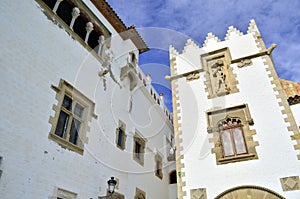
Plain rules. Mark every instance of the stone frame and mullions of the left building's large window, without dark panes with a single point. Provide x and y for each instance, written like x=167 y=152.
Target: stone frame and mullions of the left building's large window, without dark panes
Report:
x=66 y=89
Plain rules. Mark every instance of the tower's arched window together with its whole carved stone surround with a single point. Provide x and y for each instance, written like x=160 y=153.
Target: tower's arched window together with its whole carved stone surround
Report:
x=231 y=134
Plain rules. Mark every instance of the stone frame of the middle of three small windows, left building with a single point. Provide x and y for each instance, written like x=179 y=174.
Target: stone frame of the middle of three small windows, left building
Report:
x=139 y=140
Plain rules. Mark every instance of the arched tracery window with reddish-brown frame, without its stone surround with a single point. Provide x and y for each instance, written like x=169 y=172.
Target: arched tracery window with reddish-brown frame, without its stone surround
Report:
x=232 y=137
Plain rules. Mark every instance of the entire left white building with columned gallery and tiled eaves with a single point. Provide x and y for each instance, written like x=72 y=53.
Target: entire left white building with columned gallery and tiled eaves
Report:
x=75 y=113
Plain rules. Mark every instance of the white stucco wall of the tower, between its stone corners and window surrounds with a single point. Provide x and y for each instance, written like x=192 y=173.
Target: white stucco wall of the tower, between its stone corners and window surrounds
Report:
x=277 y=156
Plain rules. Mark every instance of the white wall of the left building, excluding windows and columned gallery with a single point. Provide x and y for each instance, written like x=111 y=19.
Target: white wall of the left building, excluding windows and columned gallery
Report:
x=36 y=54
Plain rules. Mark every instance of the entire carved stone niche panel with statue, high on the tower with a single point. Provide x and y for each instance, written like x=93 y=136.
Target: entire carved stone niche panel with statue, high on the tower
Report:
x=219 y=77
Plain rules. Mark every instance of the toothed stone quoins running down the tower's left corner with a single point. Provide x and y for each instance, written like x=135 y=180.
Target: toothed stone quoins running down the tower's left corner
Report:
x=177 y=125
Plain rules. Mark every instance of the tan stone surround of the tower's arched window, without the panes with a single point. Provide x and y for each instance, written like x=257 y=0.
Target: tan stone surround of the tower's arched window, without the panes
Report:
x=214 y=117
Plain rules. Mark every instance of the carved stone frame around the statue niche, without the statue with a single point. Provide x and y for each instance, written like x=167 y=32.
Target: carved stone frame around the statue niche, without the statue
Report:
x=224 y=56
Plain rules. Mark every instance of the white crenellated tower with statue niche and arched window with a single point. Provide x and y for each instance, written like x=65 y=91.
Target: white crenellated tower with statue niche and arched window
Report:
x=236 y=134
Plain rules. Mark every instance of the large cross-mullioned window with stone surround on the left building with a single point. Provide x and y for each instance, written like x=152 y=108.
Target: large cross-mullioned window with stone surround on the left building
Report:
x=69 y=125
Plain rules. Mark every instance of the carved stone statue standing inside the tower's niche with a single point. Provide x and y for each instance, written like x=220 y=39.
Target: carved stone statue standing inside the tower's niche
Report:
x=219 y=82
